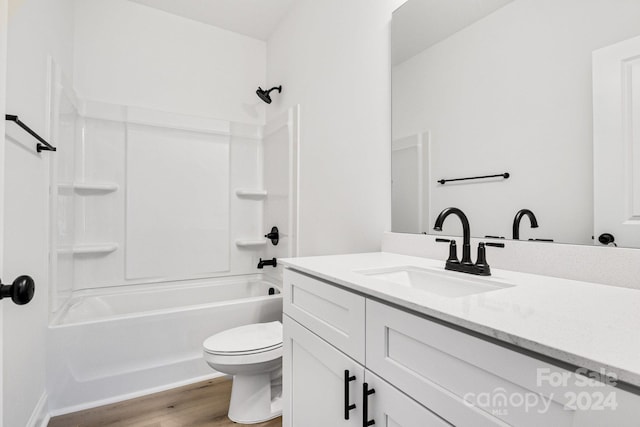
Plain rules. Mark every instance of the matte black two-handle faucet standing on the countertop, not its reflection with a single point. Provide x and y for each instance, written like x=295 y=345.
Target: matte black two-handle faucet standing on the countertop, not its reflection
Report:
x=481 y=267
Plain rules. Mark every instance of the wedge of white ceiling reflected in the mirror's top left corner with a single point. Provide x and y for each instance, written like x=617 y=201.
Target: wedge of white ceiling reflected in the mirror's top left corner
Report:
x=419 y=24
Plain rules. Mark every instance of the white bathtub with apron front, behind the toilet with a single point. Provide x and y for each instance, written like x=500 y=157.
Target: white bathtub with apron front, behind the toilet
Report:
x=116 y=343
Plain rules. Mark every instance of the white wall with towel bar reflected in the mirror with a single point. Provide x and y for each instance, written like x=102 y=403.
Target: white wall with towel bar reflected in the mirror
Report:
x=512 y=93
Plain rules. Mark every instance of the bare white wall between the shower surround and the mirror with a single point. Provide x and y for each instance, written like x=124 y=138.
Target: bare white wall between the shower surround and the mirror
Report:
x=332 y=58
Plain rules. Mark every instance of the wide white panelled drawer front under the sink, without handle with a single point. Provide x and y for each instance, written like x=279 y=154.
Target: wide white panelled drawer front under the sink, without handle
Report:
x=471 y=382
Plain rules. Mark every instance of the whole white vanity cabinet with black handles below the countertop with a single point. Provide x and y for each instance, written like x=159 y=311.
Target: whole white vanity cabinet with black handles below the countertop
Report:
x=423 y=372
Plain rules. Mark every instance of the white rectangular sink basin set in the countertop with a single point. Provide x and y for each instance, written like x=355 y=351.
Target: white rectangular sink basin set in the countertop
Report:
x=440 y=282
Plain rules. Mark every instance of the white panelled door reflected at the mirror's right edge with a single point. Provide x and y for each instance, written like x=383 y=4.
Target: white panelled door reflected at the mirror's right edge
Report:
x=616 y=115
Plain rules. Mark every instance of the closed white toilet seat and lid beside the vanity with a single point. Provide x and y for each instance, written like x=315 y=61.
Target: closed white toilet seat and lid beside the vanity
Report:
x=253 y=343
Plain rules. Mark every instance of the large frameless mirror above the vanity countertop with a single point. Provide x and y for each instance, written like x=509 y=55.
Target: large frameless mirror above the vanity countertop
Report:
x=543 y=94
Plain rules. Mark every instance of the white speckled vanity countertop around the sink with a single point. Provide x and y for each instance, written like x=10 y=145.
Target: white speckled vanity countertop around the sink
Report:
x=584 y=324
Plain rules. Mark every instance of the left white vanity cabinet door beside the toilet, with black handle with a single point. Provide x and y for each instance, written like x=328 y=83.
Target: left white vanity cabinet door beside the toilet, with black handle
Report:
x=314 y=381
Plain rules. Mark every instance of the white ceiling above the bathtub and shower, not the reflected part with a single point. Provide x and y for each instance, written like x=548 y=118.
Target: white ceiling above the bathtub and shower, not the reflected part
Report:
x=254 y=18
